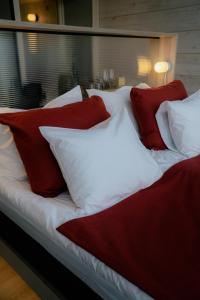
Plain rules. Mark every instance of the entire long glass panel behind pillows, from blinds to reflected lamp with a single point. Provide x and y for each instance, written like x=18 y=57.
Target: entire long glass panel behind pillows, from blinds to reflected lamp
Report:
x=37 y=67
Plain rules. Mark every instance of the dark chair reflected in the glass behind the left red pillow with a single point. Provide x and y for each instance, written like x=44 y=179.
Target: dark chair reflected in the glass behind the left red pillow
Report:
x=32 y=95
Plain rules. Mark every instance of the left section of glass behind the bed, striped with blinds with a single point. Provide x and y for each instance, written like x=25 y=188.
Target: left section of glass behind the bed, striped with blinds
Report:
x=37 y=67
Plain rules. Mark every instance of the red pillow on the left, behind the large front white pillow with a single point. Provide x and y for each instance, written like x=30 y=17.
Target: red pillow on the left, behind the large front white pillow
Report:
x=43 y=171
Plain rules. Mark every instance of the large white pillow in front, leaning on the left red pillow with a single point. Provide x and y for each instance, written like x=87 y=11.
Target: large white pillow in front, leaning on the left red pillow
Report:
x=104 y=164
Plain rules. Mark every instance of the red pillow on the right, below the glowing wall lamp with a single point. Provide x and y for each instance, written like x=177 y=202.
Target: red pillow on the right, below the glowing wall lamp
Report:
x=145 y=103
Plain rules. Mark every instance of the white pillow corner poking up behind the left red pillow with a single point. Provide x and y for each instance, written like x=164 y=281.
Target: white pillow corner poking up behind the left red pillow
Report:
x=72 y=96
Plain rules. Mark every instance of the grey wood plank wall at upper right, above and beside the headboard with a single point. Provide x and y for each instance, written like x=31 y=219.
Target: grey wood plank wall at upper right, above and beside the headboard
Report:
x=180 y=16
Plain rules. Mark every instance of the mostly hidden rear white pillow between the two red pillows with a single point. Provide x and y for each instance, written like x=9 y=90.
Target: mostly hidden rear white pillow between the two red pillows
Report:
x=118 y=99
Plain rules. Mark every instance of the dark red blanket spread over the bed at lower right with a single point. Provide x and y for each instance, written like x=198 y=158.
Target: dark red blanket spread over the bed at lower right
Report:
x=153 y=237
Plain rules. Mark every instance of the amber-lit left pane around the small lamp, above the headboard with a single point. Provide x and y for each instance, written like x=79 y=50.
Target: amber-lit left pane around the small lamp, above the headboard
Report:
x=46 y=11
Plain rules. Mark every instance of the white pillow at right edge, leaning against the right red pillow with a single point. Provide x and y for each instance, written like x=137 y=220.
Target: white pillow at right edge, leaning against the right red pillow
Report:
x=179 y=124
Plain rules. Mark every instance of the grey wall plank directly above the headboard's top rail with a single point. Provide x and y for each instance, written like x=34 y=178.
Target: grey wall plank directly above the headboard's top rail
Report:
x=172 y=20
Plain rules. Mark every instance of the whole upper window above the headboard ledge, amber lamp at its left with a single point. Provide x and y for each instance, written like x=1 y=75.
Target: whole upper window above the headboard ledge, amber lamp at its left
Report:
x=68 y=12
